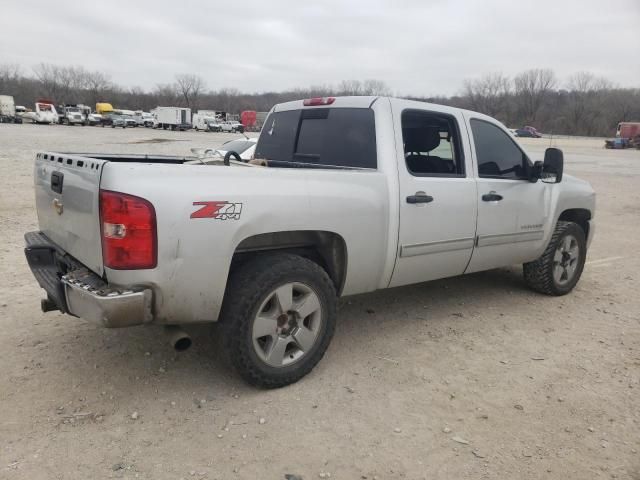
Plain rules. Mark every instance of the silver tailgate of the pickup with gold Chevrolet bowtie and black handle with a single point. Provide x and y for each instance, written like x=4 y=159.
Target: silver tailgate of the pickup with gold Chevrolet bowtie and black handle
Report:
x=67 y=201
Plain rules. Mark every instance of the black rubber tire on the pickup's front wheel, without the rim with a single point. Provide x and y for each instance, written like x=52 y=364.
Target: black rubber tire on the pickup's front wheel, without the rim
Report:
x=539 y=274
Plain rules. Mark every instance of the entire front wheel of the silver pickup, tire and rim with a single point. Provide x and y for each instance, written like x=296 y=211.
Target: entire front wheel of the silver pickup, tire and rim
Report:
x=559 y=268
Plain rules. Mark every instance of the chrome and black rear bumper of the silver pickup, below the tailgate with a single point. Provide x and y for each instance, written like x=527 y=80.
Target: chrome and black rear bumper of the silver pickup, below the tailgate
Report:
x=76 y=290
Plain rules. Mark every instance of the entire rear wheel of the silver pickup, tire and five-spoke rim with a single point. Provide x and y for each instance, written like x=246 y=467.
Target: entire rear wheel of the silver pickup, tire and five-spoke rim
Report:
x=278 y=317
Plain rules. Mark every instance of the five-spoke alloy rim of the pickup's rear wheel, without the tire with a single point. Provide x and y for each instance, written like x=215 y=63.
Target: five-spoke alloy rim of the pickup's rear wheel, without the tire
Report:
x=287 y=324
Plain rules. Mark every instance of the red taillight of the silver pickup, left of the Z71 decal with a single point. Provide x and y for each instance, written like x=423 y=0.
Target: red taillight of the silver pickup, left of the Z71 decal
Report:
x=128 y=225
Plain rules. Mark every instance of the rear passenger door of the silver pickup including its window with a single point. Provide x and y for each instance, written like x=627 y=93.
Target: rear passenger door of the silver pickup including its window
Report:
x=437 y=194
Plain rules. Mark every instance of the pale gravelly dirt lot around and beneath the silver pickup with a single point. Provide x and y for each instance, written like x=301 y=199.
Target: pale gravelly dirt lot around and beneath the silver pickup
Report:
x=470 y=377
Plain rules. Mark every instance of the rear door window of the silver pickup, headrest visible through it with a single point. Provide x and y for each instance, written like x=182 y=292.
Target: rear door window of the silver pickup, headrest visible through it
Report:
x=431 y=144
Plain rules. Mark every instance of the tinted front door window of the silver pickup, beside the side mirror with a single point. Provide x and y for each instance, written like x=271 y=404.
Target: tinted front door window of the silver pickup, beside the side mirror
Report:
x=498 y=155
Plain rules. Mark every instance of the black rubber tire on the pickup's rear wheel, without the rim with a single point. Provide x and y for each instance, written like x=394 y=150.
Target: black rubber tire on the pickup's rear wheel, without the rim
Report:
x=249 y=286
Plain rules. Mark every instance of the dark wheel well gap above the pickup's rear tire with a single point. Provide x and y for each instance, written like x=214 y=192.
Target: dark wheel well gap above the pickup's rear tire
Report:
x=327 y=249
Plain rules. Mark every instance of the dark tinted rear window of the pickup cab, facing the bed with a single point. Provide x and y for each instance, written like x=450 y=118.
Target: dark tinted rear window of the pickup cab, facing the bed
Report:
x=320 y=138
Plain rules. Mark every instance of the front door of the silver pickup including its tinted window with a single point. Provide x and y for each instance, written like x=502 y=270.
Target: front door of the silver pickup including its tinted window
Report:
x=513 y=213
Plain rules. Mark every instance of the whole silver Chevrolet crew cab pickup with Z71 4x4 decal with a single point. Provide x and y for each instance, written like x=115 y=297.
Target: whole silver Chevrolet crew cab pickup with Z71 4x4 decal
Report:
x=344 y=196
